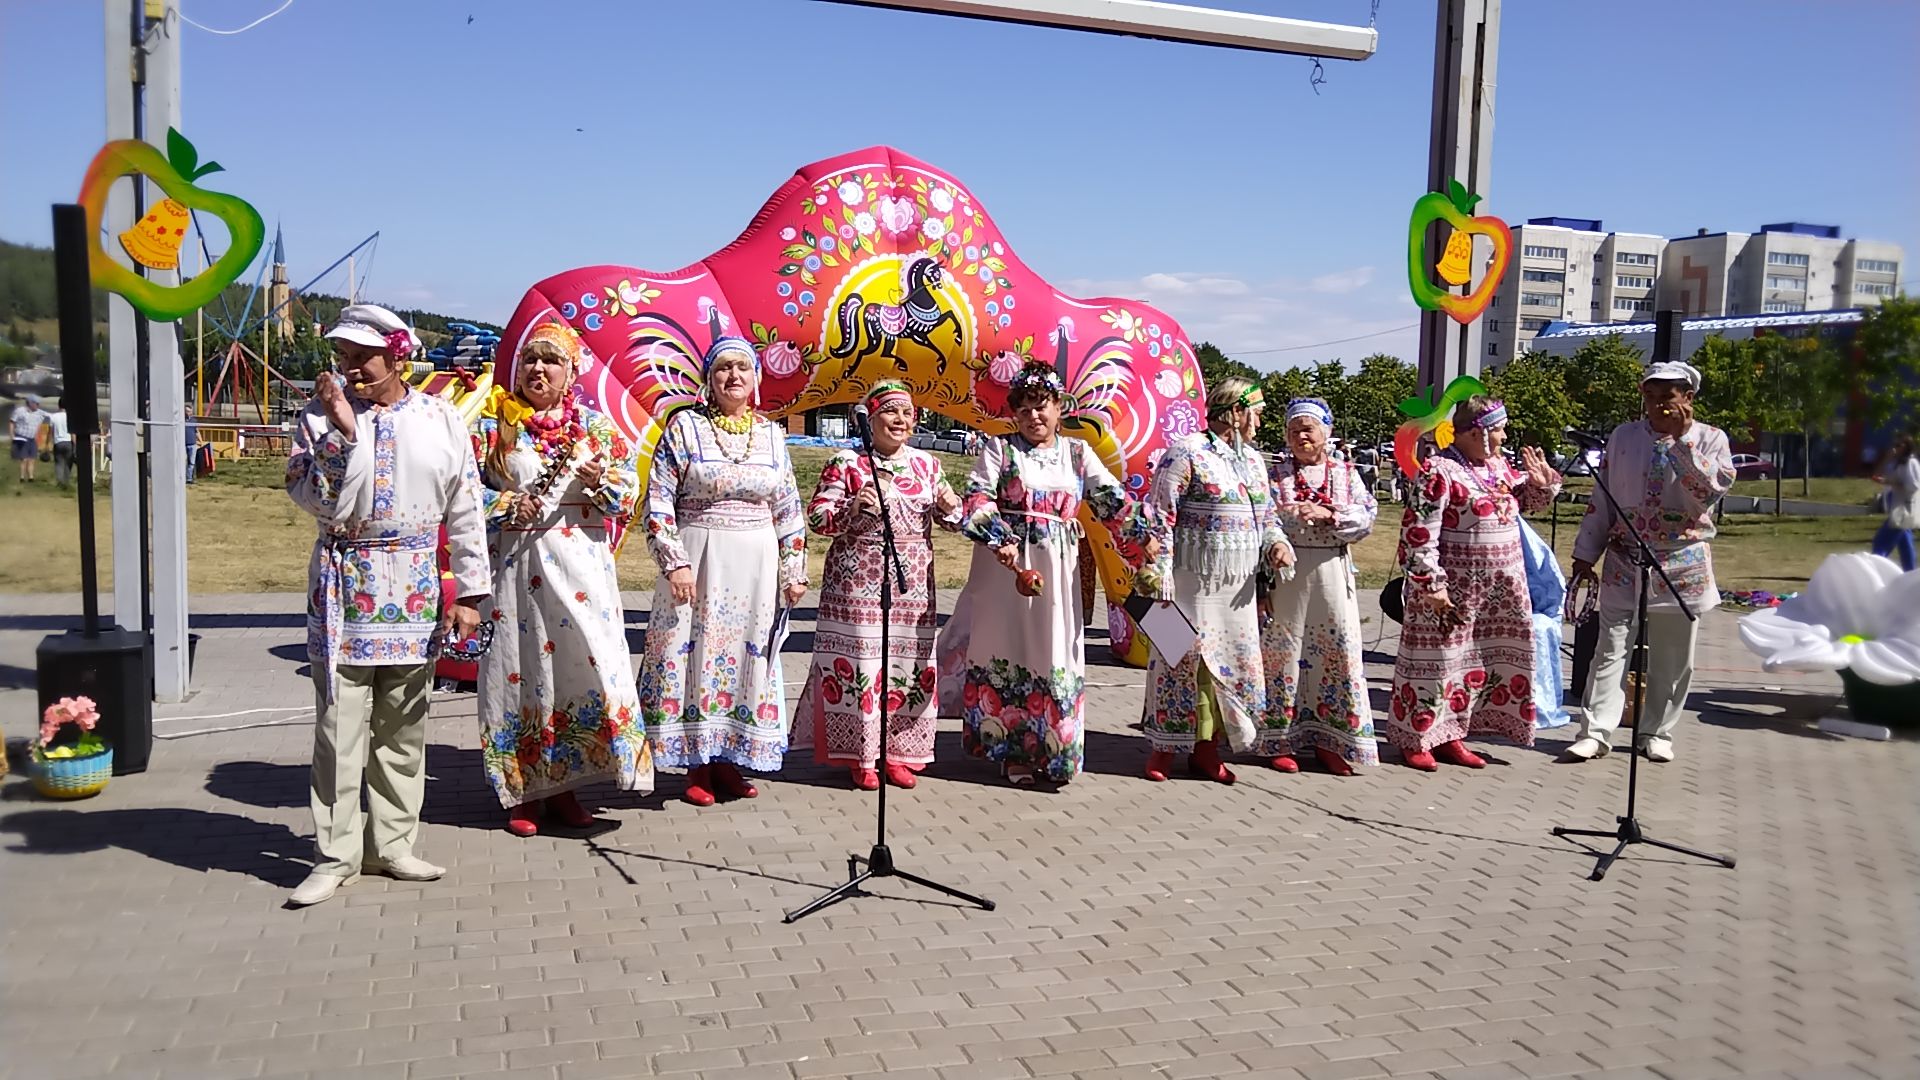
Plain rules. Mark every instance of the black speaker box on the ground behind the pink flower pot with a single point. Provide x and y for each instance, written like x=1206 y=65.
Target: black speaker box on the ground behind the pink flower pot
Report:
x=116 y=670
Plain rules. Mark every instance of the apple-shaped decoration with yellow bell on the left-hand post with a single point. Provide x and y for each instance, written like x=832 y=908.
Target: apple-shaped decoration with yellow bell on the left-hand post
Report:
x=156 y=239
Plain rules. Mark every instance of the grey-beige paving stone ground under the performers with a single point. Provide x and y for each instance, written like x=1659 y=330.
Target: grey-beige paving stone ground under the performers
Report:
x=1295 y=927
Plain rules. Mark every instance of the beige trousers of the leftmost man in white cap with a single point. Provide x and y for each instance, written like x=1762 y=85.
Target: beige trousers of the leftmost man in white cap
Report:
x=375 y=725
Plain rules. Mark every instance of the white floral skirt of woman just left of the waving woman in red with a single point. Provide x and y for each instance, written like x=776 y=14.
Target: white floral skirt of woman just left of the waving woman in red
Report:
x=1316 y=672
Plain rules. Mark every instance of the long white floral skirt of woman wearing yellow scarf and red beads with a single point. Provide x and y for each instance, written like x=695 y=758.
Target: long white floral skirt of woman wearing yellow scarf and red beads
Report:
x=558 y=702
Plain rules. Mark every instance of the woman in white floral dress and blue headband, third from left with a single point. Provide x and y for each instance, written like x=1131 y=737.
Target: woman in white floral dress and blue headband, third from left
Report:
x=725 y=526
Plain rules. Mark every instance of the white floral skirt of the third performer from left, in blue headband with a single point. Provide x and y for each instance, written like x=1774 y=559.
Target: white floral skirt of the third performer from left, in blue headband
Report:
x=709 y=681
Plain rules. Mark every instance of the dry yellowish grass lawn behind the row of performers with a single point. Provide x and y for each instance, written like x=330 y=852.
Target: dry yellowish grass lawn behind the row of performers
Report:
x=245 y=535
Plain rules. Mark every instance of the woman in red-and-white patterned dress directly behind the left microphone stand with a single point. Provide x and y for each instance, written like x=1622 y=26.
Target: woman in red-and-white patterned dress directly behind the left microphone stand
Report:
x=848 y=691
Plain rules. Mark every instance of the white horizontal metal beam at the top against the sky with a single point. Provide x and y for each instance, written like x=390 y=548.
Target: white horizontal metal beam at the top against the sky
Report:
x=1164 y=22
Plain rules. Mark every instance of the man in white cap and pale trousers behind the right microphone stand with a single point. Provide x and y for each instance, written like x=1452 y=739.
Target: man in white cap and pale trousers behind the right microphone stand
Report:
x=1668 y=472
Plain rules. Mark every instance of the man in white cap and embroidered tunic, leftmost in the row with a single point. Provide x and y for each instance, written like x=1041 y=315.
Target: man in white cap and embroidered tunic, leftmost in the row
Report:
x=381 y=468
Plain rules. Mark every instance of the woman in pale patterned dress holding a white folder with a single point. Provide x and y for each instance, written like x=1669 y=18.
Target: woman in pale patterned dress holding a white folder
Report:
x=1212 y=503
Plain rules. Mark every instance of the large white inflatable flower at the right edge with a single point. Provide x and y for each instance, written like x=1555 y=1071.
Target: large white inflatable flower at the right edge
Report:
x=1860 y=612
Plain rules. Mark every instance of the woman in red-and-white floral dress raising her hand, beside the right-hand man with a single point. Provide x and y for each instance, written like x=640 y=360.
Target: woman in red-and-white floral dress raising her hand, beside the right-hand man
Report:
x=1468 y=645
